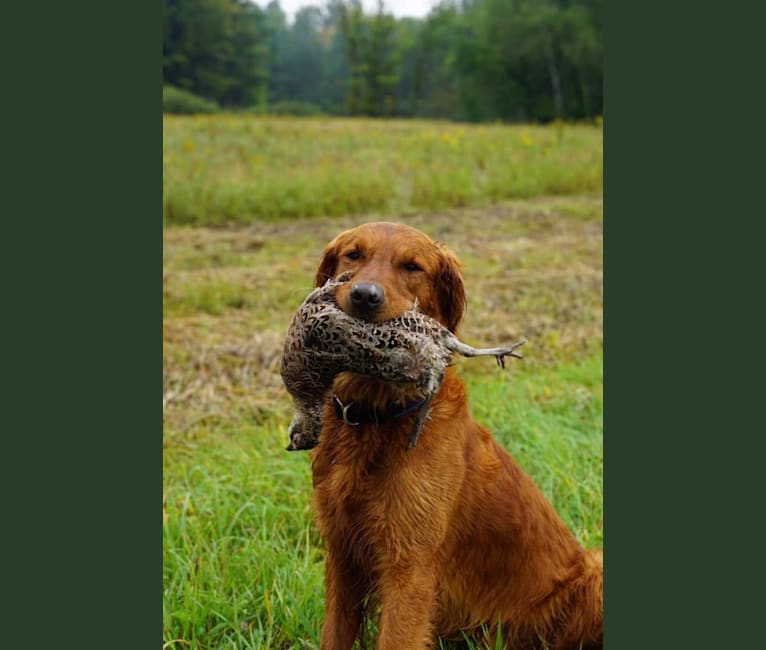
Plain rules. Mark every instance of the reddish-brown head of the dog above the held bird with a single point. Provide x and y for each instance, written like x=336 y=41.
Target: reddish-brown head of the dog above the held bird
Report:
x=392 y=266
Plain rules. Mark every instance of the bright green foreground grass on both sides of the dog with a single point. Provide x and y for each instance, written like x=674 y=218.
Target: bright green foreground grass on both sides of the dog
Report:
x=243 y=565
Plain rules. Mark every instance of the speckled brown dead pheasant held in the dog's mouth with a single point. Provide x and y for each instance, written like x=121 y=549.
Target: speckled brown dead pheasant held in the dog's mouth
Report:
x=323 y=340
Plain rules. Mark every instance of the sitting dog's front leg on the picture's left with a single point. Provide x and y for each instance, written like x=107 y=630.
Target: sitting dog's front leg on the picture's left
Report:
x=344 y=597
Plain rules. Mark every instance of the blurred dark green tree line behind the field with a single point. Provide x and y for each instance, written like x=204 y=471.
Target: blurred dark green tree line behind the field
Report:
x=475 y=60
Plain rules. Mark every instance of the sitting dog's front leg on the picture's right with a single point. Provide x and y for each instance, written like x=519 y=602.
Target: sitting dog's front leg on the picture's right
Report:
x=407 y=599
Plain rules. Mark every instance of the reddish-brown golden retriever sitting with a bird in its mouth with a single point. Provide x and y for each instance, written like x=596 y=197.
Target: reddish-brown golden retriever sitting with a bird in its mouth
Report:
x=450 y=538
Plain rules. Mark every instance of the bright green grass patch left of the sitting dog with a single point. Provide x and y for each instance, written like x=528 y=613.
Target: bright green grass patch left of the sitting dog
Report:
x=242 y=567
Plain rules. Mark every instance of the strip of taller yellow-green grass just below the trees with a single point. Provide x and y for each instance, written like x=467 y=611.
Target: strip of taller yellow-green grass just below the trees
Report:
x=238 y=168
